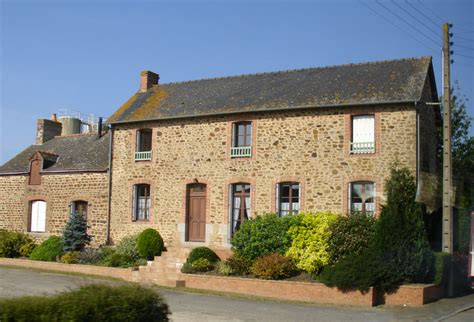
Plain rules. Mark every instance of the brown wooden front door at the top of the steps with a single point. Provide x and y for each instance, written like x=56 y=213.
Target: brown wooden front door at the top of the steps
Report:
x=196 y=212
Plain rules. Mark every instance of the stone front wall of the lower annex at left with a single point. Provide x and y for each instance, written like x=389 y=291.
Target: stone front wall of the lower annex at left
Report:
x=58 y=190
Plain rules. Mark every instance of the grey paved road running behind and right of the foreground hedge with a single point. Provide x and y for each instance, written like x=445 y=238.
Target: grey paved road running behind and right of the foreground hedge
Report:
x=204 y=307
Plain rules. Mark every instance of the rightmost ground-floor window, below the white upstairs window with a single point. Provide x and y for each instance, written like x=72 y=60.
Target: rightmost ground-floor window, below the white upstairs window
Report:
x=362 y=197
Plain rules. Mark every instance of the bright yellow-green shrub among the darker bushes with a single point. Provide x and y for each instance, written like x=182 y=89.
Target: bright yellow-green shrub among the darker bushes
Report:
x=309 y=247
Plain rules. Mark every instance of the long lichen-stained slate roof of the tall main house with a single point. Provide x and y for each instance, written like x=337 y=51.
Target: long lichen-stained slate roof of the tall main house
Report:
x=381 y=82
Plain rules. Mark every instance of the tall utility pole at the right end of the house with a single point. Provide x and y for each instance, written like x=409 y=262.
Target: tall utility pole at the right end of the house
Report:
x=447 y=238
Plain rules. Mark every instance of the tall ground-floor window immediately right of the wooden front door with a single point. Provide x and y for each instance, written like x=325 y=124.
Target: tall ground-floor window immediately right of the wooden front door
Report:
x=240 y=206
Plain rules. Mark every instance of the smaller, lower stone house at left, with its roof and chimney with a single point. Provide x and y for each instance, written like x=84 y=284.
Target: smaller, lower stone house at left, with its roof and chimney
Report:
x=57 y=175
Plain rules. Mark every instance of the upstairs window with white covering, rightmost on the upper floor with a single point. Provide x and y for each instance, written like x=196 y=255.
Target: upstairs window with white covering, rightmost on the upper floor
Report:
x=363 y=134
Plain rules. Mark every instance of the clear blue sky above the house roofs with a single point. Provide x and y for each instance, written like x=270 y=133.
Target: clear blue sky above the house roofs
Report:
x=87 y=55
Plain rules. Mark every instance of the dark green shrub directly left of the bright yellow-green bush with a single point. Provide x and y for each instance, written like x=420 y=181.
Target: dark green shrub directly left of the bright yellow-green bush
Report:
x=263 y=235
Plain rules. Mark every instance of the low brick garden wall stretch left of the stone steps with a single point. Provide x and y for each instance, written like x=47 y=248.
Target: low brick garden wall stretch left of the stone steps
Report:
x=121 y=273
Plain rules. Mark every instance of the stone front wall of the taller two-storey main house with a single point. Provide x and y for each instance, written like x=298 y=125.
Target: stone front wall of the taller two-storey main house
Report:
x=309 y=146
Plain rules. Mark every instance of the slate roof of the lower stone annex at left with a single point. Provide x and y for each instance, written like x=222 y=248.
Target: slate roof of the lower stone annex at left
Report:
x=75 y=153
